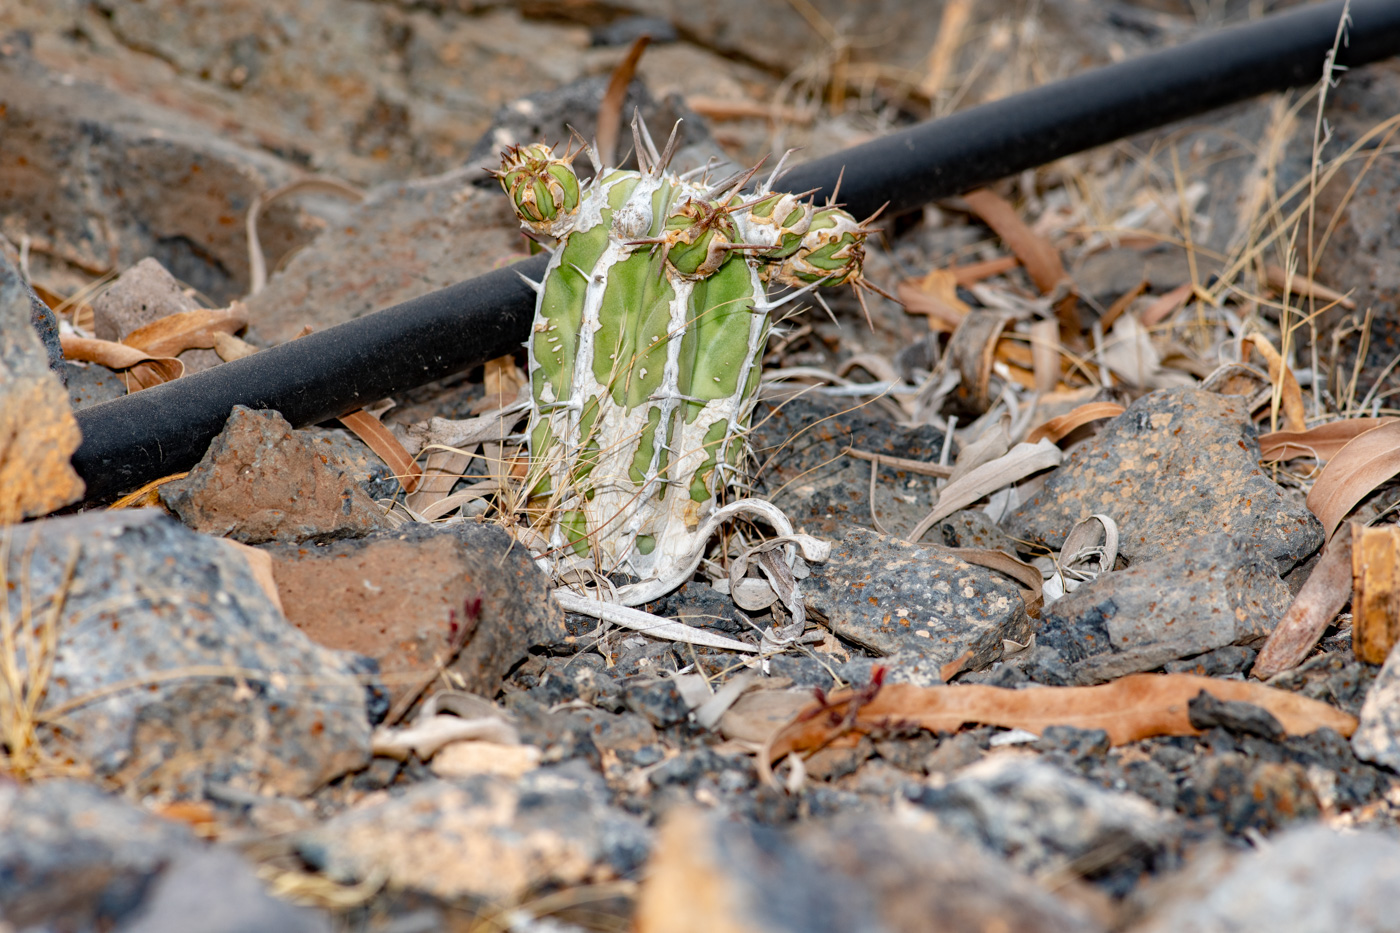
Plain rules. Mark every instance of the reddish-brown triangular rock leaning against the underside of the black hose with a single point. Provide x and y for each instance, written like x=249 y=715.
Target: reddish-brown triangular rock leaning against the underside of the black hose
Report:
x=261 y=483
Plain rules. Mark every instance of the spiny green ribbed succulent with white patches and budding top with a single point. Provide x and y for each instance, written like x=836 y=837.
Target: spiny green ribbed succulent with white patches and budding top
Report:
x=646 y=350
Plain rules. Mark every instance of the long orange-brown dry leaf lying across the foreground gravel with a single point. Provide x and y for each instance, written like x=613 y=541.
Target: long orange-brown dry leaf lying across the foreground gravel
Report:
x=1129 y=710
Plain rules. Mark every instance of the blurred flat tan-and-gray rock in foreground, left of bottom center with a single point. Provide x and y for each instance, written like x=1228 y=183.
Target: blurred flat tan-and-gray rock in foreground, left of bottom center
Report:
x=485 y=837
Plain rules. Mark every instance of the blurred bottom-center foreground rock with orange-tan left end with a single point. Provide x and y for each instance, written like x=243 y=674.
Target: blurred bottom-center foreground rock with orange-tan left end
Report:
x=871 y=873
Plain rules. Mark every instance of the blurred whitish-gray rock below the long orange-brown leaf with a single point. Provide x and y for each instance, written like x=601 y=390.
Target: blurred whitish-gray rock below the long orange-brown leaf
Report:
x=1042 y=819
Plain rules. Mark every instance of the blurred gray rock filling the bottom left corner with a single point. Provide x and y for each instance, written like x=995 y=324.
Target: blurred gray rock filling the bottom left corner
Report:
x=75 y=858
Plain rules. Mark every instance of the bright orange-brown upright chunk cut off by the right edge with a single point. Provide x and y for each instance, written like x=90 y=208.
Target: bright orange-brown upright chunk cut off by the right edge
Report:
x=1375 y=590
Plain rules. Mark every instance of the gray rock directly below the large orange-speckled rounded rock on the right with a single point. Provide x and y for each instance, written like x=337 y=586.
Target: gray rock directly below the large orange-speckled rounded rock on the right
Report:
x=1212 y=593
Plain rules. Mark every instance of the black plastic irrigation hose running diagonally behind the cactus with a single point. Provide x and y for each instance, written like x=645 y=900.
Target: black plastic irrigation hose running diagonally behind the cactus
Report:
x=166 y=429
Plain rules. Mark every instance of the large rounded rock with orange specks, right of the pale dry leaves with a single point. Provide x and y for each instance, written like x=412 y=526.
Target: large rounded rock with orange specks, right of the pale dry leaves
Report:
x=1177 y=464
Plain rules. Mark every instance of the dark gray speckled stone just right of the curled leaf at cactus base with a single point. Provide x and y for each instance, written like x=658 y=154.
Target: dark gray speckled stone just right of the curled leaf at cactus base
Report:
x=894 y=597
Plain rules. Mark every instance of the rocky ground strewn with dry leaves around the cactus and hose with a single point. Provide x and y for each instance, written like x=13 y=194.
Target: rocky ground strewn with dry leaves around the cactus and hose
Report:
x=297 y=690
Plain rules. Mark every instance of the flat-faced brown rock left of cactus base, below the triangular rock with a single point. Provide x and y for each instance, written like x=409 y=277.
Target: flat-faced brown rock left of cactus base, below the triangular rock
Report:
x=402 y=597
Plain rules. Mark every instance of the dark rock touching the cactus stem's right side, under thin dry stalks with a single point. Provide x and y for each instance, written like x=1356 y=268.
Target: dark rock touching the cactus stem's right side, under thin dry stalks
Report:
x=799 y=446
